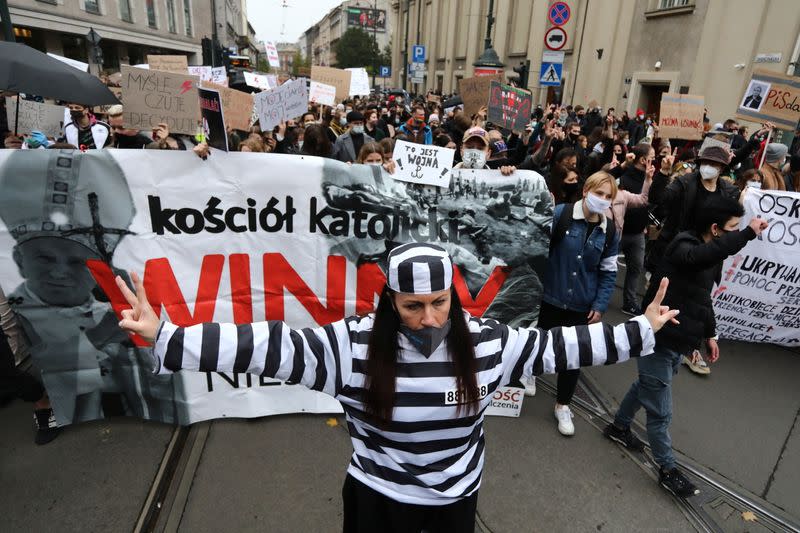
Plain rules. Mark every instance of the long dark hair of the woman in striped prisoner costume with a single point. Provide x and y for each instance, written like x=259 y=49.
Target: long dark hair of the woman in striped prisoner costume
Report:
x=382 y=354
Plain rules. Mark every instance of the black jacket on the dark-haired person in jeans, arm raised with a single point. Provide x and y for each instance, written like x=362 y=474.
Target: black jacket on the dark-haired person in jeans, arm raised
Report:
x=692 y=267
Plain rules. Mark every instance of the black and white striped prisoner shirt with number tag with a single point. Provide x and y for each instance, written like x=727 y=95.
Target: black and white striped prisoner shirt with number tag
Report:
x=427 y=454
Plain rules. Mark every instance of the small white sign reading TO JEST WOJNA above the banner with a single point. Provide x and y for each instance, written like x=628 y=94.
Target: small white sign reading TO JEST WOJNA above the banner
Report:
x=423 y=164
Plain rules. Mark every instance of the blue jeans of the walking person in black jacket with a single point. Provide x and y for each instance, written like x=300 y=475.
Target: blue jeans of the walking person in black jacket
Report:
x=653 y=391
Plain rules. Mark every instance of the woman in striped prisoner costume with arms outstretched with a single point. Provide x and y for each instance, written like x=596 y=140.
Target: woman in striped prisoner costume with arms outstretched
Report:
x=413 y=378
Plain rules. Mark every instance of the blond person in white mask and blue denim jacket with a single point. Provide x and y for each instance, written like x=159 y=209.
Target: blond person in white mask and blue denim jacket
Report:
x=580 y=275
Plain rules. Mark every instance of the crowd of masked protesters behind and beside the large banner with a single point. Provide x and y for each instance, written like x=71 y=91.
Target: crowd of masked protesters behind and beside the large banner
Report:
x=619 y=189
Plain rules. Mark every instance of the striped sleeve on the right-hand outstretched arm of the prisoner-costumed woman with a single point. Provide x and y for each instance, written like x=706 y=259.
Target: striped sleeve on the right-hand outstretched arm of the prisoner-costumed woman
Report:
x=532 y=351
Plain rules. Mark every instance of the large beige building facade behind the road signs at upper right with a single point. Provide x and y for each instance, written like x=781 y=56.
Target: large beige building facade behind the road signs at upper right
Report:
x=620 y=53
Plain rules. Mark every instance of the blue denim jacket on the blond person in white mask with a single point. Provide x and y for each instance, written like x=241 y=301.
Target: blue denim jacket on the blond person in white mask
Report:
x=580 y=277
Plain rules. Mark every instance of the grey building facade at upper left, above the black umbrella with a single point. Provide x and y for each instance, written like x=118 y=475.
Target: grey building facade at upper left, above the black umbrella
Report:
x=129 y=29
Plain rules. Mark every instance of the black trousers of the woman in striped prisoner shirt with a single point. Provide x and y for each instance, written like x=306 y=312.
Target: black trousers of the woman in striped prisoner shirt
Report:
x=369 y=511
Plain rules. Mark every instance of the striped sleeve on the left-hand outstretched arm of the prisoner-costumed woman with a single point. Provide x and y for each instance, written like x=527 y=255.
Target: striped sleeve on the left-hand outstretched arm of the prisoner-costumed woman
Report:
x=311 y=357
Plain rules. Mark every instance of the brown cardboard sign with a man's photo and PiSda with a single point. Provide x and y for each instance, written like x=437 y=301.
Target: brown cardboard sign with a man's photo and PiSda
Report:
x=771 y=96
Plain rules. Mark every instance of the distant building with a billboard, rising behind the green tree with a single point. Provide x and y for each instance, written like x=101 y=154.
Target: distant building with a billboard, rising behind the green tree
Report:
x=319 y=41
